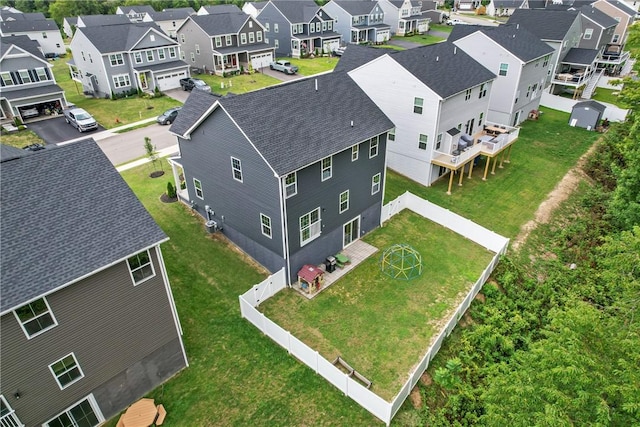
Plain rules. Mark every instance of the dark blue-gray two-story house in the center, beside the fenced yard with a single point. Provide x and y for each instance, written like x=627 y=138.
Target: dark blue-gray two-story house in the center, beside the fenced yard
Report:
x=290 y=186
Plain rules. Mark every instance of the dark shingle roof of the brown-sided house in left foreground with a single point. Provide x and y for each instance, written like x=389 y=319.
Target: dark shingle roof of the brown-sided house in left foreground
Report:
x=48 y=240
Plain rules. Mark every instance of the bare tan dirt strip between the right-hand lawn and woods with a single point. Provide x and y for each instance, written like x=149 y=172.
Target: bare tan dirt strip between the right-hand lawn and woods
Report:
x=559 y=194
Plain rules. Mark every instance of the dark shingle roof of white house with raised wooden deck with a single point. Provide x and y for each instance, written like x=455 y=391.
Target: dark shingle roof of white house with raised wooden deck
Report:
x=443 y=67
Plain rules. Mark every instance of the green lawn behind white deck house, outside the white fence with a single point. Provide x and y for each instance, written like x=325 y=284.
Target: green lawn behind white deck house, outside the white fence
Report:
x=544 y=152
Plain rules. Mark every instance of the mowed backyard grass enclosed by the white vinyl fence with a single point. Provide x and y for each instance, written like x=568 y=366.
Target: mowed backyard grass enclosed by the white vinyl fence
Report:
x=379 y=325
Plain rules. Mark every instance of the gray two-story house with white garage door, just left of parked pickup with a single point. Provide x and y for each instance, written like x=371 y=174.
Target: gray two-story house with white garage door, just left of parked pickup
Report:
x=223 y=43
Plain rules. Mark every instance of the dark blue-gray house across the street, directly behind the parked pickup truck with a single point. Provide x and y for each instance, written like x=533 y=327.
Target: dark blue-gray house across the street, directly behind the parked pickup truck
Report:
x=298 y=27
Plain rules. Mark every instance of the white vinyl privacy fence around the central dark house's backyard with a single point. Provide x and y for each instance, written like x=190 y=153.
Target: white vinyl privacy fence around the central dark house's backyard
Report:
x=373 y=403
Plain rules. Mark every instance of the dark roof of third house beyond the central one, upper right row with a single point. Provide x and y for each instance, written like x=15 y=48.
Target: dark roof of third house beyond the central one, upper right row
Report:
x=545 y=24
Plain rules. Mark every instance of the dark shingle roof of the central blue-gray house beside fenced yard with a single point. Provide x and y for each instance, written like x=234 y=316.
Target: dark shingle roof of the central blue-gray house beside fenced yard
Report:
x=290 y=141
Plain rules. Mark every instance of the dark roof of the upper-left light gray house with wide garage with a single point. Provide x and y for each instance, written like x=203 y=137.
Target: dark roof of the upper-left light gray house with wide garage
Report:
x=119 y=37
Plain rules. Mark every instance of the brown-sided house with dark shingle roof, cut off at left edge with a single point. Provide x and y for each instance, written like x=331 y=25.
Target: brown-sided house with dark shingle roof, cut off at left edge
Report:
x=88 y=320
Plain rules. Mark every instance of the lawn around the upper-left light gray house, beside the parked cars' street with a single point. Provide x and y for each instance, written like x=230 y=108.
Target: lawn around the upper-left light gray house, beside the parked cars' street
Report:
x=109 y=113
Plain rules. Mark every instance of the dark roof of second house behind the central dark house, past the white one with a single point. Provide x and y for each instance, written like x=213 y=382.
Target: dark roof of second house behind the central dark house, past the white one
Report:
x=517 y=40
